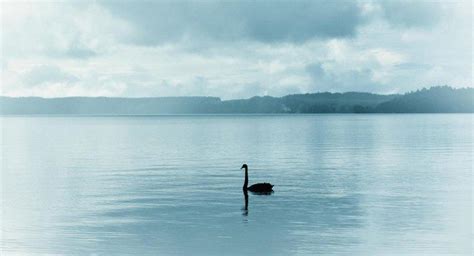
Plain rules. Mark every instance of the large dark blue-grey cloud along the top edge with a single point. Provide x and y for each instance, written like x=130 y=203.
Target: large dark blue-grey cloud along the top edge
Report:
x=264 y=21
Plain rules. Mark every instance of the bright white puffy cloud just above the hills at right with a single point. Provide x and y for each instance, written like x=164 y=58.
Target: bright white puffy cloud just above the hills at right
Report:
x=345 y=67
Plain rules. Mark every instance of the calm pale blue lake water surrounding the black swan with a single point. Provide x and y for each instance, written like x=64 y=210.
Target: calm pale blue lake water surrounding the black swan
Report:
x=171 y=185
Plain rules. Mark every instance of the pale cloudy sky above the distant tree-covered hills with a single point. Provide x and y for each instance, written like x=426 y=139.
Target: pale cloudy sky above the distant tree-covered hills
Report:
x=232 y=49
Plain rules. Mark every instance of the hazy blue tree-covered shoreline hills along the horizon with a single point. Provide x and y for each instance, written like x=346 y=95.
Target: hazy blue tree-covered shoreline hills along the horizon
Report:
x=441 y=99
